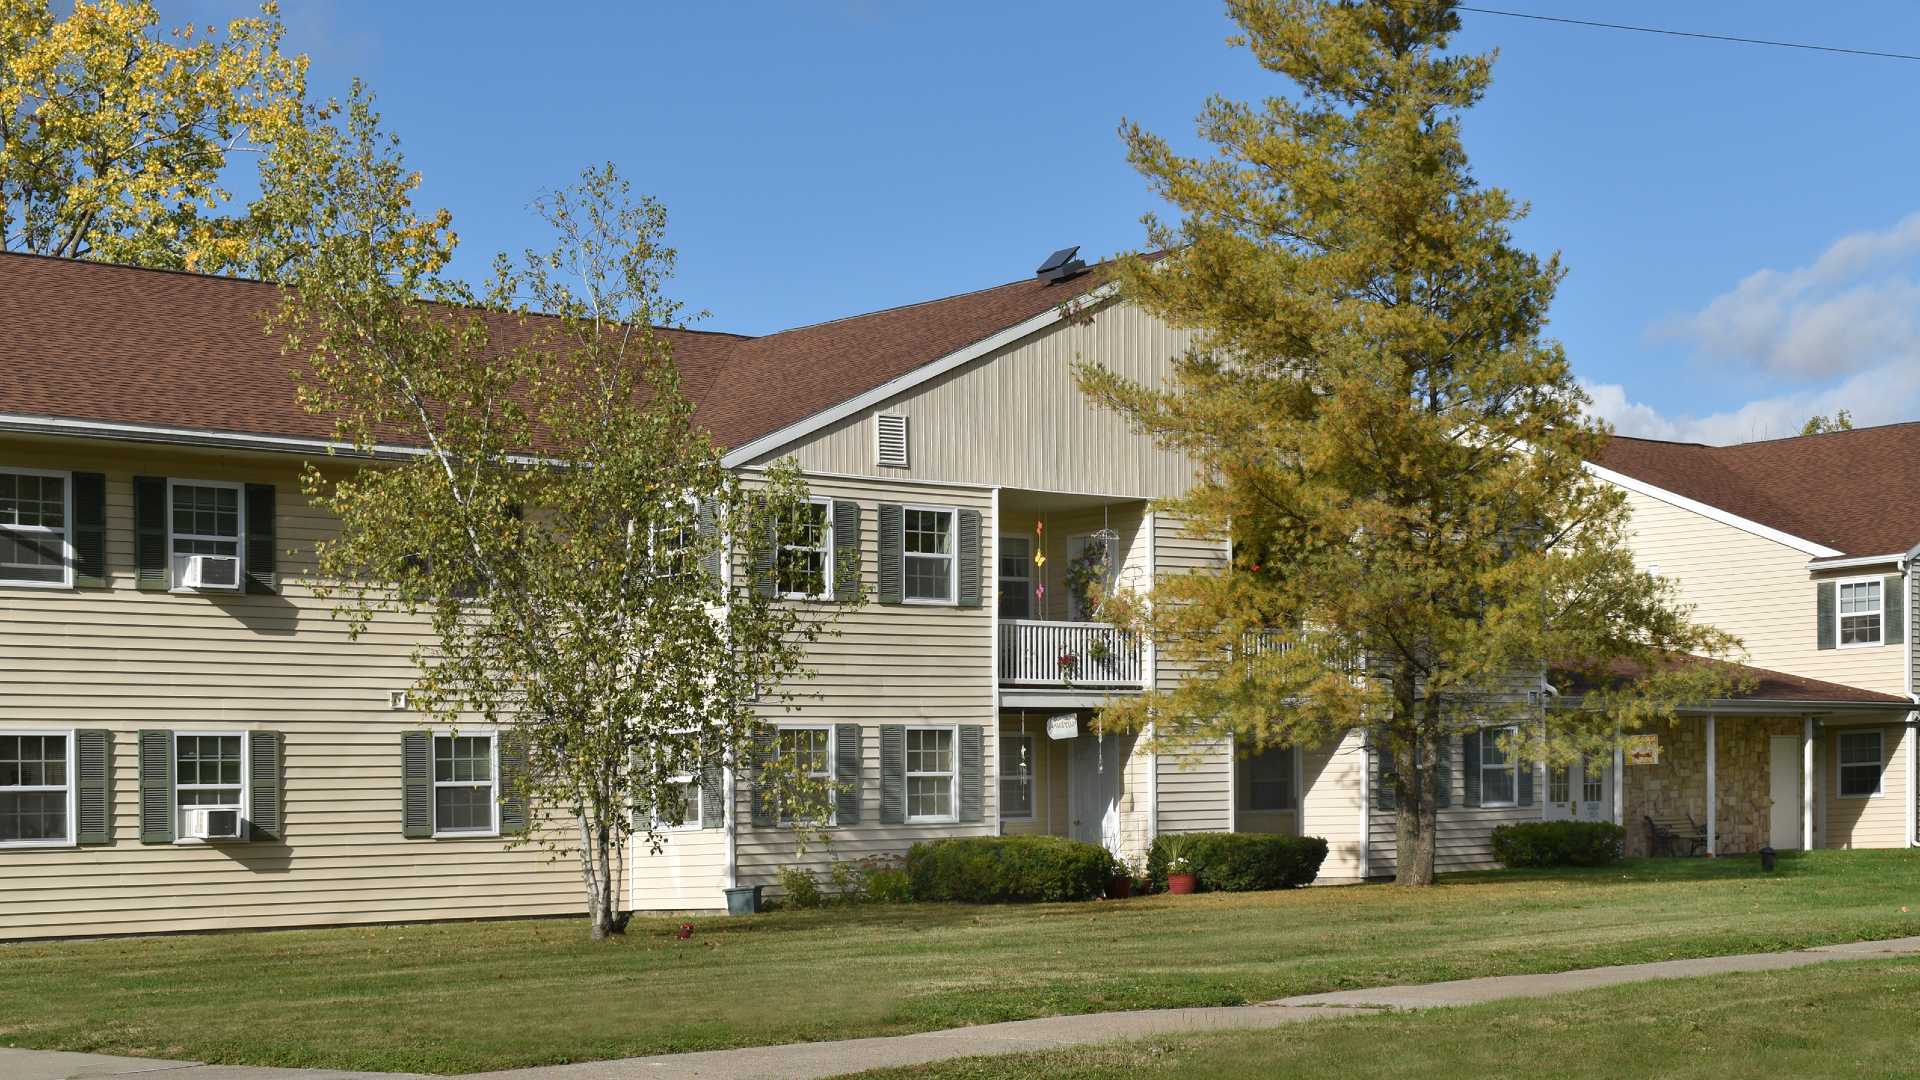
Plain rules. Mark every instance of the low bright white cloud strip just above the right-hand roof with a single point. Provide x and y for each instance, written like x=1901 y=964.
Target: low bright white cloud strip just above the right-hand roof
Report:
x=1881 y=395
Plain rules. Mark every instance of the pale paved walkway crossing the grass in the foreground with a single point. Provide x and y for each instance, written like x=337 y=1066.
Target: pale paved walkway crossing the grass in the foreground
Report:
x=855 y=1056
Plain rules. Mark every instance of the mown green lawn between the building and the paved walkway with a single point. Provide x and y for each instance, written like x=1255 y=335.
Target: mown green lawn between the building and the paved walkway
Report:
x=500 y=994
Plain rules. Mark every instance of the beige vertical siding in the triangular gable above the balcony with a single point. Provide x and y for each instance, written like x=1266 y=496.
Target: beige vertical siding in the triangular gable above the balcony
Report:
x=1017 y=418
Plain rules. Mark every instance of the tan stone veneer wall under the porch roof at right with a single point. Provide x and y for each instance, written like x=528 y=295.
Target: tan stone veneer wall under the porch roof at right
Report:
x=1679 y=783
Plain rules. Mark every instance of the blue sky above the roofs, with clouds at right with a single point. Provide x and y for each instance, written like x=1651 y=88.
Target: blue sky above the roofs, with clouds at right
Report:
x=1737 y=220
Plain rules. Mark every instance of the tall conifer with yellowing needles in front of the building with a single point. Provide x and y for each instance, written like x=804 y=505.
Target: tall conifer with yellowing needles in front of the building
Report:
x=1381 y=428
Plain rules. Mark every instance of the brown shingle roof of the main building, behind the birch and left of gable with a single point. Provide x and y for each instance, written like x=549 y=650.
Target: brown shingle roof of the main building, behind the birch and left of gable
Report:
x=124 y=345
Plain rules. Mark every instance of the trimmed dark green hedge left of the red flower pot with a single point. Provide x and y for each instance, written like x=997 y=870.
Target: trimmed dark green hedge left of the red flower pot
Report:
x=1009 y=870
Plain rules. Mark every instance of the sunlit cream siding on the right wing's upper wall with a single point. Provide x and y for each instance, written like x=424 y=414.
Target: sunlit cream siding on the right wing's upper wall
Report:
x=1758 y=591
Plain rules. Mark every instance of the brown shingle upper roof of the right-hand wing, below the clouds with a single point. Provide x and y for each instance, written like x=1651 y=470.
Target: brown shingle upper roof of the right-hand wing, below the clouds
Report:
x=1852 y=491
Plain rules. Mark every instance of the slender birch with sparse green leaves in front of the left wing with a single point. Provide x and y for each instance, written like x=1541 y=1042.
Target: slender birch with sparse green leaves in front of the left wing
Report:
x=558 y=514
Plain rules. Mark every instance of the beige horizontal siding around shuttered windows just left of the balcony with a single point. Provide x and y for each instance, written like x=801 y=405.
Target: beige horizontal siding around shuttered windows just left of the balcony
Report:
x=886 y=666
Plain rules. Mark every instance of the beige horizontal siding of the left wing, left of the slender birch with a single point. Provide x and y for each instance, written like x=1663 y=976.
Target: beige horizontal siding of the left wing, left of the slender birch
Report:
x=128 y=660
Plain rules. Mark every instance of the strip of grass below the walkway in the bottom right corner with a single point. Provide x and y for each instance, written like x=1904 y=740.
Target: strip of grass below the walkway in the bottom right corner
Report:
x=1848 y=1019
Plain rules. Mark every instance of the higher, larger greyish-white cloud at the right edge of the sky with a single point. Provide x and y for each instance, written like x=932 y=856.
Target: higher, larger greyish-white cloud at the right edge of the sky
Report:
x=1850 y=310
